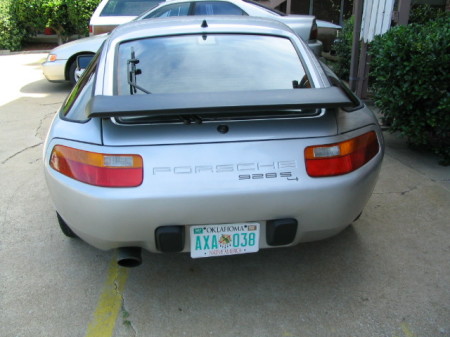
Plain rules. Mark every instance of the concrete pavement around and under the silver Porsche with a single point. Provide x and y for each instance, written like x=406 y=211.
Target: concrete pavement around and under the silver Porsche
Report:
x=388 y=275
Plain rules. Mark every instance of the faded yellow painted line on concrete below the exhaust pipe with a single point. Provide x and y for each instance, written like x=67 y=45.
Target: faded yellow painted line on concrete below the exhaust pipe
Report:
x=109 y=303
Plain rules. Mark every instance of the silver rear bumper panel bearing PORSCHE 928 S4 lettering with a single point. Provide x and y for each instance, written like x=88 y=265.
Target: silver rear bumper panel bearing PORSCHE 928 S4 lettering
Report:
x=272 y=185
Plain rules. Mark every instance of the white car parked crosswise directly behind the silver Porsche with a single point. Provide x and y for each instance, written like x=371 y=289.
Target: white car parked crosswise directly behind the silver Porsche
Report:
x=61 y=62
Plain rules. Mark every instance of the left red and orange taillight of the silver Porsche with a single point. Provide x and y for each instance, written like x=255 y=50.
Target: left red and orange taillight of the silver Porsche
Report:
x=106 y=170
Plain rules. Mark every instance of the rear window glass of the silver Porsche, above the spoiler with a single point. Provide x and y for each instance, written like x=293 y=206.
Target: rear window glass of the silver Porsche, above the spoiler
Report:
x=207 y=63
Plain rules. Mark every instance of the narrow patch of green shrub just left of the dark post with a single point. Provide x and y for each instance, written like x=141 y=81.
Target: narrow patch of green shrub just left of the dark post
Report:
x=343 y=48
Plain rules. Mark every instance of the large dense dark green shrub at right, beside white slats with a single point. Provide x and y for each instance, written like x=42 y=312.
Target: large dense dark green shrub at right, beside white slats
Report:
x=411 y=76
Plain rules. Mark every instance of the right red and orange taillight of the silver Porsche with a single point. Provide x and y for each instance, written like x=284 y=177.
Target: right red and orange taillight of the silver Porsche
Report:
x=341 y=158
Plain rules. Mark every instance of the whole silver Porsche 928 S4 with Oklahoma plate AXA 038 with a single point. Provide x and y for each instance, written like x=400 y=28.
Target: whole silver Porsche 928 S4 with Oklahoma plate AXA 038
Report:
x=209 y=135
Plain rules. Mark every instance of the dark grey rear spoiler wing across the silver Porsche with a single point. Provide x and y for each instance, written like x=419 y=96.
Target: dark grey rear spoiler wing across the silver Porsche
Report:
x=213 y=103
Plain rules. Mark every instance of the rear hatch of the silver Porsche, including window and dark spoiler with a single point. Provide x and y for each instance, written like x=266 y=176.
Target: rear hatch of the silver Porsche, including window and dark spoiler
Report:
x=198 y=88
